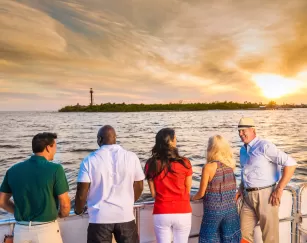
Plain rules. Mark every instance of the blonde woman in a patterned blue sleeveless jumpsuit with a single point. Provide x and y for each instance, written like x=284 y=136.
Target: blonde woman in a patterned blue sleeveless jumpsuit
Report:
x=221 y=221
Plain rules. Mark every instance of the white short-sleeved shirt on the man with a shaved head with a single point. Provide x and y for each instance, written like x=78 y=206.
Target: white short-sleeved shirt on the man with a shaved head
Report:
x=111 y=170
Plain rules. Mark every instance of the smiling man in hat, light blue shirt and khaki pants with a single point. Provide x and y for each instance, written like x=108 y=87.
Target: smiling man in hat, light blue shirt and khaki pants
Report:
x=262 y=183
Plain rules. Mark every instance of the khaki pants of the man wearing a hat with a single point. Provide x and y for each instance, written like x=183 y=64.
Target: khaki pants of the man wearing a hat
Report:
x=256 y=208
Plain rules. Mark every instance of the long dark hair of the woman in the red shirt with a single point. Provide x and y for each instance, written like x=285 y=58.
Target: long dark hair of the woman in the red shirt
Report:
x=162 y=155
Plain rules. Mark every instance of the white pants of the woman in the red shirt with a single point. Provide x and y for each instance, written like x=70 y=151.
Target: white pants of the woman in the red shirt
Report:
x=178 y=224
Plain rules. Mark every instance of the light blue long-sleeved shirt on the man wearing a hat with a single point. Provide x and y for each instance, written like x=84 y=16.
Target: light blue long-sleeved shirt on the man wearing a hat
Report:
x=261 y=162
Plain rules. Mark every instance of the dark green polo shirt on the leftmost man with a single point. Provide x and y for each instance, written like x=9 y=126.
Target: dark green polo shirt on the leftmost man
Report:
x=35 y=185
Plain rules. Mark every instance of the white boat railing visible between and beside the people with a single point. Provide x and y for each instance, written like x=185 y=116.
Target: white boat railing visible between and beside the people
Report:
x=292 y=220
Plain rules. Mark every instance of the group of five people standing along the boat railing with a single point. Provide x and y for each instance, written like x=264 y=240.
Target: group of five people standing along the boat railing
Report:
x=110 y=180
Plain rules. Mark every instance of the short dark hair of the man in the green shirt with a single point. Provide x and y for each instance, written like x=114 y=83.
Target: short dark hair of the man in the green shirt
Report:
x=41 y=140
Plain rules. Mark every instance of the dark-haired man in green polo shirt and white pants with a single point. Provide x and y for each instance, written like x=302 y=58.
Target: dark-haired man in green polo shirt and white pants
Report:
x=39 y=188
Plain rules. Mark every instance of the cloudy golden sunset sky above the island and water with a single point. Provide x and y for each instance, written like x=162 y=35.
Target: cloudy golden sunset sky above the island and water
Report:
x=151 y=51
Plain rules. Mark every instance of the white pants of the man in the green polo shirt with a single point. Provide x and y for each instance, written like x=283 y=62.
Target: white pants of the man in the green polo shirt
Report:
x=45 y=233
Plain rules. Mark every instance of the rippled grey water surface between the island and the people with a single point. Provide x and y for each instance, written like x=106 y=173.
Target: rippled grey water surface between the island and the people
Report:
x=136 y=131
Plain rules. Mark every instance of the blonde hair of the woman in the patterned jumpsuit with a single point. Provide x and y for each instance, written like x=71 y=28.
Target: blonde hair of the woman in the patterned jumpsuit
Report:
x=220 y=150
